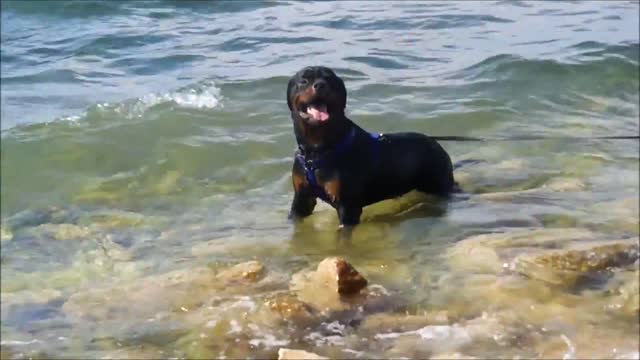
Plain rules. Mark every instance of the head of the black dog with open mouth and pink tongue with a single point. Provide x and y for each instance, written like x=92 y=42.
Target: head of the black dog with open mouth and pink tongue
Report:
x=316 y=95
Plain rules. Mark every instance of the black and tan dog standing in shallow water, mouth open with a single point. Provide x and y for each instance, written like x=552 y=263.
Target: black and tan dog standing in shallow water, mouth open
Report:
x=347 y=167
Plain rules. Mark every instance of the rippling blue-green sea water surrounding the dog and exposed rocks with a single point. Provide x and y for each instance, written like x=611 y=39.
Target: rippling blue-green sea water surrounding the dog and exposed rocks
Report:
x=147 y=143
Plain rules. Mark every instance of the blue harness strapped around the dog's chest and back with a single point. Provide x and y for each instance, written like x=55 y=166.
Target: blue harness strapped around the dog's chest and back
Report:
x=310 y=166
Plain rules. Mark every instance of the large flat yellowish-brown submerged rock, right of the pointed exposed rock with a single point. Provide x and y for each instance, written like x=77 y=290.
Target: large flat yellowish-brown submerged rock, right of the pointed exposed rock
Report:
x=557 y=256
